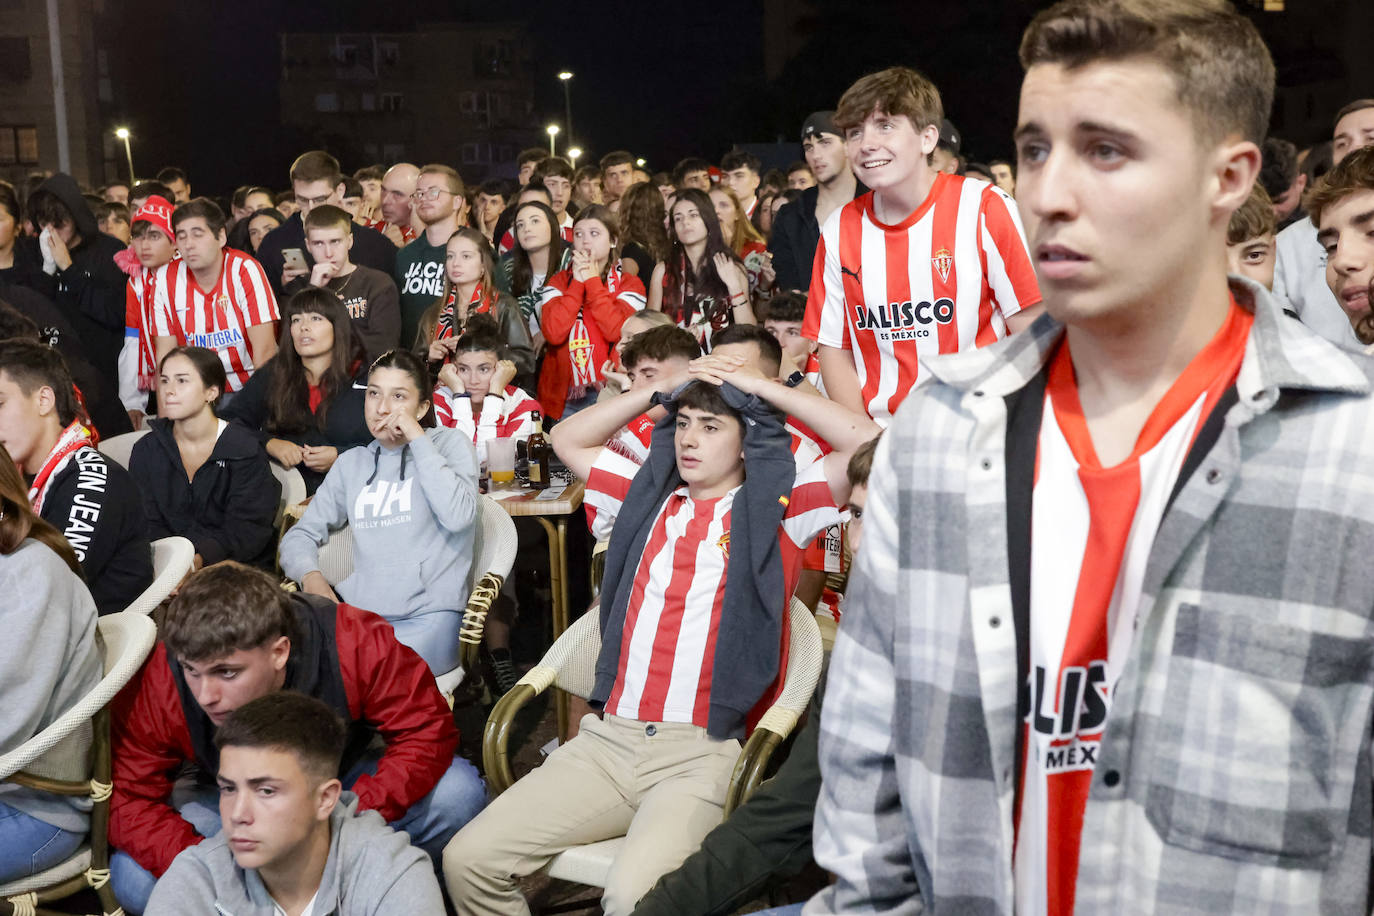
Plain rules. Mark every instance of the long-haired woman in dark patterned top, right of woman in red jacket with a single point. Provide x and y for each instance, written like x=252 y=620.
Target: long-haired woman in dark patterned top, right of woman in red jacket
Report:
x=703 y=286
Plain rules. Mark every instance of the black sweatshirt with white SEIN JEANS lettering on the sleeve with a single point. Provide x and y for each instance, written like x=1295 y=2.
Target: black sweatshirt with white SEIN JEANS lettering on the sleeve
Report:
x=97 y=506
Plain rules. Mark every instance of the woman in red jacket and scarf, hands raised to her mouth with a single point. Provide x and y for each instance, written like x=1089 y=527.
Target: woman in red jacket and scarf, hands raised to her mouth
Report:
x=583 y=311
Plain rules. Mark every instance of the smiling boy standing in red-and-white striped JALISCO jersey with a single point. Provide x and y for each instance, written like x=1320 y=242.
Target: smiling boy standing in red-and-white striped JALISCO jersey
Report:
x=957 y=275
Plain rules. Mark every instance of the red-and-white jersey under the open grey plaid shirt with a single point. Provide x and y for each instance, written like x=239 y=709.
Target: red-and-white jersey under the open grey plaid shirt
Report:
x=1092 y=534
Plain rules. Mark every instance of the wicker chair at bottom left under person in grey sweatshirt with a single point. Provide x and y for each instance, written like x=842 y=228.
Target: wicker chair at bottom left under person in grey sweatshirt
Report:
x=72 y=757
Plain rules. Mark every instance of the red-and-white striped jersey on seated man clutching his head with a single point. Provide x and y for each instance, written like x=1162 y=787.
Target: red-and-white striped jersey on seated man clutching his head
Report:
x=668 y=646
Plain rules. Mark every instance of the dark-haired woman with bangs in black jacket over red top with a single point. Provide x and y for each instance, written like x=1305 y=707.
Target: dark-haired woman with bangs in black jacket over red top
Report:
x=306 y=403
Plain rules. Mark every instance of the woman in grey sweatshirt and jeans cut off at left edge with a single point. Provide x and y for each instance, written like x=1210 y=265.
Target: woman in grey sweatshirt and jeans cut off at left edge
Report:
x=50 y=663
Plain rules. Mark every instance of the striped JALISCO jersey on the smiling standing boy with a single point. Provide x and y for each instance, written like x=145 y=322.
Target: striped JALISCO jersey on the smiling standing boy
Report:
x=942 y=281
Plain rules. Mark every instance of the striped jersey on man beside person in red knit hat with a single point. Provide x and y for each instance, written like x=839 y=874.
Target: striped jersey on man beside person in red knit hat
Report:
x=216 y=319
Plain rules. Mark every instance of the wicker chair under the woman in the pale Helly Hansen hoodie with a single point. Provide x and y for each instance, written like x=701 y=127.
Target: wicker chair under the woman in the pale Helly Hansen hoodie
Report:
x=493 y=560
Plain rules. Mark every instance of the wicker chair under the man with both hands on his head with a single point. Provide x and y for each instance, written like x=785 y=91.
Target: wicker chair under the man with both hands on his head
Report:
x=571 y=665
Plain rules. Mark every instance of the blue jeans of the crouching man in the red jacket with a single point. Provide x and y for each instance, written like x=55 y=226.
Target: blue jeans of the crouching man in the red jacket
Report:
x=431 y=822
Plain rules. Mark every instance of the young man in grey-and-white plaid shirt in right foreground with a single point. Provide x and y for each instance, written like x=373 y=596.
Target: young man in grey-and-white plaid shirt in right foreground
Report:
x=1108 y=649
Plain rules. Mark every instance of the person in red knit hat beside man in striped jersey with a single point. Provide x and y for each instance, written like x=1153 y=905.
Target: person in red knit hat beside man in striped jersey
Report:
x=155 y=247
